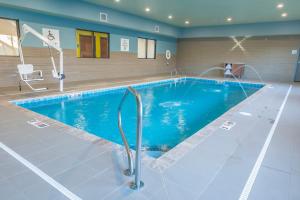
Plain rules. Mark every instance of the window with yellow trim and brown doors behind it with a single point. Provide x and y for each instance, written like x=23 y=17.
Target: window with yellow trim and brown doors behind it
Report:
x=92 y=44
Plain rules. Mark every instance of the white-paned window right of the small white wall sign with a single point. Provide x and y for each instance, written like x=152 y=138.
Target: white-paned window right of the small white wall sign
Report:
x=146 y=48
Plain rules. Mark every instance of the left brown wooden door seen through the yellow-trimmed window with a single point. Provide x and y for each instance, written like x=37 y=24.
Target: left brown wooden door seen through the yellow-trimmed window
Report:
x=86 y=46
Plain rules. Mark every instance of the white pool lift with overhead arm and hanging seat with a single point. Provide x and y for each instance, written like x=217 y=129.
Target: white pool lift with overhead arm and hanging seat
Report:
x=26 y=71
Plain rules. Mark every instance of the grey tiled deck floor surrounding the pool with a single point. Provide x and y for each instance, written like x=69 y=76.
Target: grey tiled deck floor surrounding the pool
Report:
x=215 y=164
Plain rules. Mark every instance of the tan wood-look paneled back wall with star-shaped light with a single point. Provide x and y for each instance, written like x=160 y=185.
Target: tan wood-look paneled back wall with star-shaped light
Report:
x=271 y=56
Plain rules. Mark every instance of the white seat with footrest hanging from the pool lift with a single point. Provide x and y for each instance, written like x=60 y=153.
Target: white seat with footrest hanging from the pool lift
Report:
x=28 y=75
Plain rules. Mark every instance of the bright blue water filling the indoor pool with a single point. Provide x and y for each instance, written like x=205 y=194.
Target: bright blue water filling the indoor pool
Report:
x=171 y=112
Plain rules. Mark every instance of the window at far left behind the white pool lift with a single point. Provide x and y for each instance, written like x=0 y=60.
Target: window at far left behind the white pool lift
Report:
x=9 y=37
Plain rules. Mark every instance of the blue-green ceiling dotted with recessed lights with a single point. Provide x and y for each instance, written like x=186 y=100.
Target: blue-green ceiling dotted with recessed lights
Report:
x=207 y=12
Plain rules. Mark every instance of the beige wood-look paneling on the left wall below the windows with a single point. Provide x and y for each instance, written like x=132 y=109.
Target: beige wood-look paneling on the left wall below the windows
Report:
x=119 y=65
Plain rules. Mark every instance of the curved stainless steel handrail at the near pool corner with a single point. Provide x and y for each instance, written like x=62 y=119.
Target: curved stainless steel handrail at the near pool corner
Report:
x=137 y=183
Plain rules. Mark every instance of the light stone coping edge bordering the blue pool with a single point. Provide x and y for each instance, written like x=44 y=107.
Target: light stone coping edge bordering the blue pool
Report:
x=167 y=159
